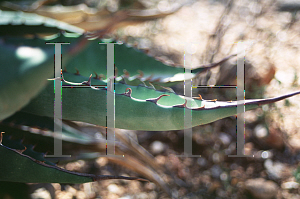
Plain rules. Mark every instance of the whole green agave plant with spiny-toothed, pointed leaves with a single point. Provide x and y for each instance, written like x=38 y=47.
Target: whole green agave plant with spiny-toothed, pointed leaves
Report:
x=143 y=97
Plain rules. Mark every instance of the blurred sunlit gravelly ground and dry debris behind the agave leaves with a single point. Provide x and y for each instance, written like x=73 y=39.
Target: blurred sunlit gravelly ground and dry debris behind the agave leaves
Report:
x=270 y=31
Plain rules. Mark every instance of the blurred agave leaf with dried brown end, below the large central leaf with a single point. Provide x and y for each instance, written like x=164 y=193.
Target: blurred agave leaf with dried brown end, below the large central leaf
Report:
x=87 y=147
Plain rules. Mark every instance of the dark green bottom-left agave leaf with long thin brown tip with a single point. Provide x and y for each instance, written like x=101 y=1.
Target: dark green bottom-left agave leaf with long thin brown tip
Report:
x=18 y=167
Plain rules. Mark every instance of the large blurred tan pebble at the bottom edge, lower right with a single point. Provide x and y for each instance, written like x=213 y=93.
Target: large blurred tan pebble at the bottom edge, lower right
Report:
x=261 y=188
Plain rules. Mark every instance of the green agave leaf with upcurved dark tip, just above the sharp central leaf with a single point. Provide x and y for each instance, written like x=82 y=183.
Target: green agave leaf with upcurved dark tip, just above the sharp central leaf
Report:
x=132 y=64
